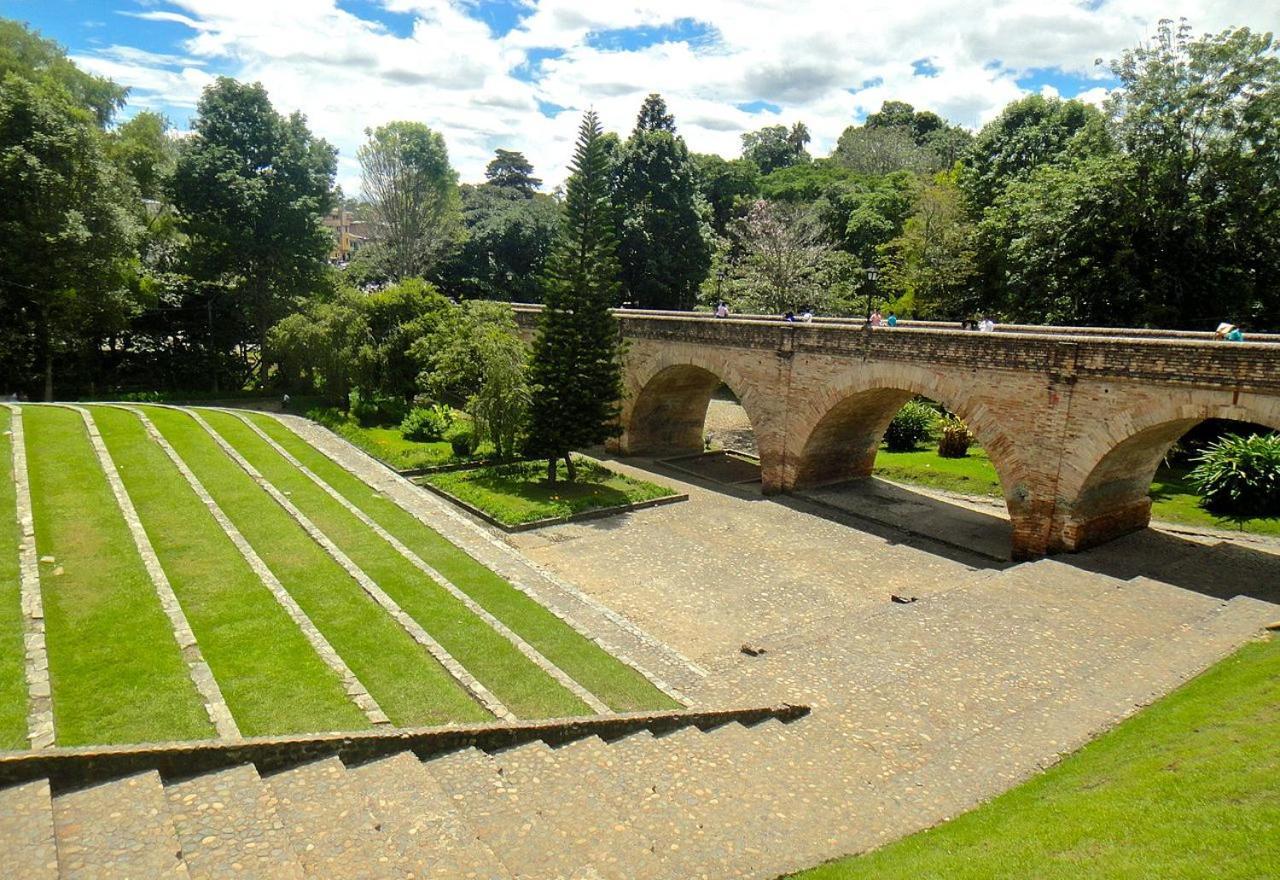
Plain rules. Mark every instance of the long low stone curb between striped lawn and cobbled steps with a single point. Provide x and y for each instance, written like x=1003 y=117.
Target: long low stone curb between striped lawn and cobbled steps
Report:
x=67 y=768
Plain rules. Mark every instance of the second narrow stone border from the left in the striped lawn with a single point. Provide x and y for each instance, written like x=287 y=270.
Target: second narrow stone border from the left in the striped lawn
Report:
x=202 y=676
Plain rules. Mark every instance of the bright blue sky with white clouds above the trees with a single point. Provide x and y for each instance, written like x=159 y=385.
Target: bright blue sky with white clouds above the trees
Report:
x=519 y=74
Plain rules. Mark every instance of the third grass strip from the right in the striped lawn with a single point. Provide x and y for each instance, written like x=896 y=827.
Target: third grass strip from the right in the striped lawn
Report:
x=410 y=686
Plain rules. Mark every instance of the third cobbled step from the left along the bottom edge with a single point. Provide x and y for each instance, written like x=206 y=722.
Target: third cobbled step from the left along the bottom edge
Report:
x=228 y=828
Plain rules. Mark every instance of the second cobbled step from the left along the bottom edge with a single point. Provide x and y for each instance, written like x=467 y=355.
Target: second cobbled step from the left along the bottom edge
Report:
x=117 y=831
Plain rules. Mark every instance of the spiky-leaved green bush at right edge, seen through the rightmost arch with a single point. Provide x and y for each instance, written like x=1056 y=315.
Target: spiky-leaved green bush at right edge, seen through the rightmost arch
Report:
x=1241 y=476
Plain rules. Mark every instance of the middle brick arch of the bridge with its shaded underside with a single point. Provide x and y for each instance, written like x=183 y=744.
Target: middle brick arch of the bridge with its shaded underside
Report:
x=847 y=421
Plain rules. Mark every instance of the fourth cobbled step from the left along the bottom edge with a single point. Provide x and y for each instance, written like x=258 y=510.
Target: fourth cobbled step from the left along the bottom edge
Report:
x=331 y=828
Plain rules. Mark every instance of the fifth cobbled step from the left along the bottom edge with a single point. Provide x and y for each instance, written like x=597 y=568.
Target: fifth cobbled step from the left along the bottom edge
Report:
x=422 y=824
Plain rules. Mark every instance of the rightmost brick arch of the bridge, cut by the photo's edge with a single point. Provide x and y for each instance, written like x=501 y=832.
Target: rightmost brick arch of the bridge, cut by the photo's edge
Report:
x=1105 y=483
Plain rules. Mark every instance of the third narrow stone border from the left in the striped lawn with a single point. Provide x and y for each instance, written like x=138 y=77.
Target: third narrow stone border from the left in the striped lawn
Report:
x=353 y=686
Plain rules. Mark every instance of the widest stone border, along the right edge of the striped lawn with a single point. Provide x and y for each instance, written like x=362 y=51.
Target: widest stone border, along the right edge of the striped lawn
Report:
x=490 y=551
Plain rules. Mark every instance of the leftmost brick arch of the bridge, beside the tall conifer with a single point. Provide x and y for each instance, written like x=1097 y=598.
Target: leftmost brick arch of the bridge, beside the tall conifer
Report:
x=666 y=400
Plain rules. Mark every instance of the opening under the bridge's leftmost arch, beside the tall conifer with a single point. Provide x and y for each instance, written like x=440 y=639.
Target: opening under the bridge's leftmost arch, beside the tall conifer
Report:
x=669 y=415
